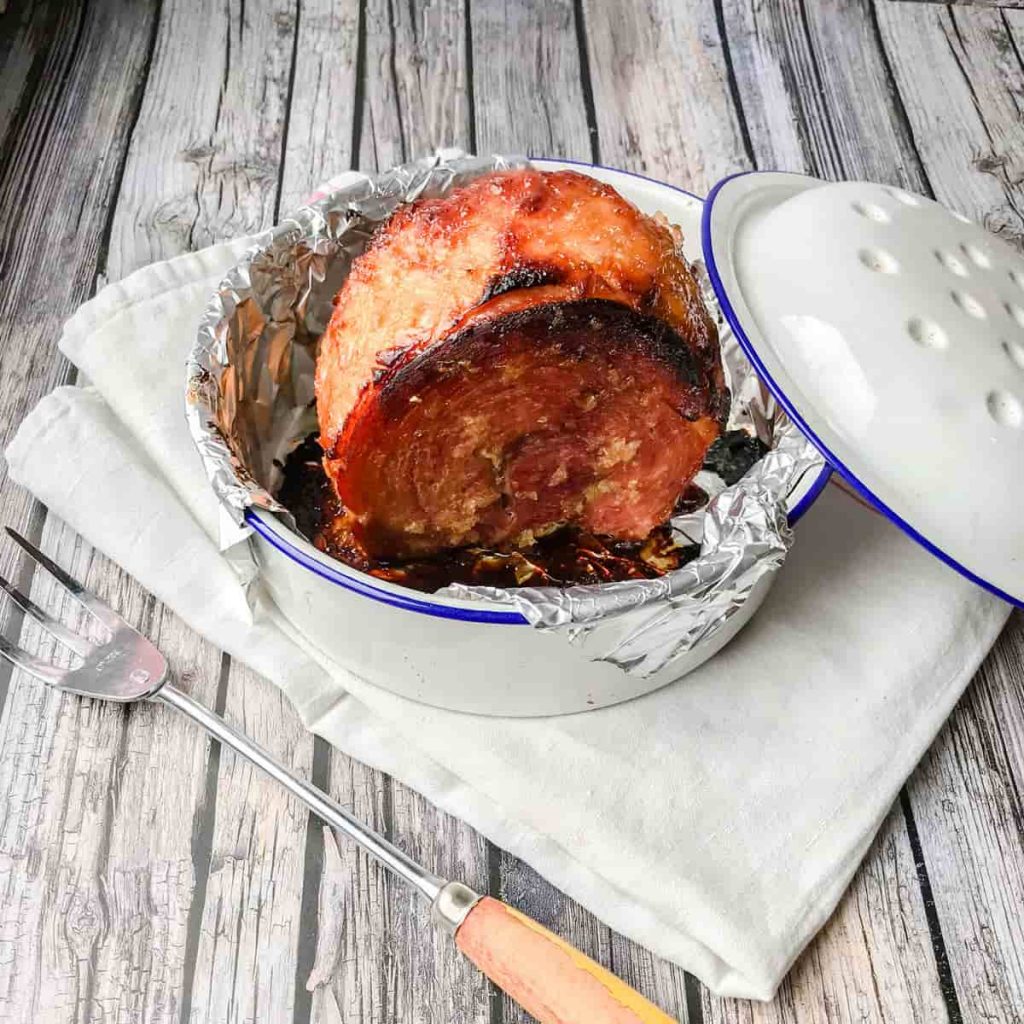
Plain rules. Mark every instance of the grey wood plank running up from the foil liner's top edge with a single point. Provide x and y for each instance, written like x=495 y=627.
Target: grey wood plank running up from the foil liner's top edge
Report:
x=416 y=81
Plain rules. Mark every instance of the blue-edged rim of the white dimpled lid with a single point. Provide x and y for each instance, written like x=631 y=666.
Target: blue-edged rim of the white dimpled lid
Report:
x=863 y=490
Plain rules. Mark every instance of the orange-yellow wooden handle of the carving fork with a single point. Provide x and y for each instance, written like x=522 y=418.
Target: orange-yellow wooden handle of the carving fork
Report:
x=550 y=979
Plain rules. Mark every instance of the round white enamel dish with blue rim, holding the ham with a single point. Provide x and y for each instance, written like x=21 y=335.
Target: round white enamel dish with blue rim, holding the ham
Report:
x=477 y=656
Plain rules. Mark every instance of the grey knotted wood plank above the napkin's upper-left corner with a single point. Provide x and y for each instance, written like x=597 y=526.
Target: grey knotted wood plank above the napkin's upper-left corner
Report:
x=205 y=155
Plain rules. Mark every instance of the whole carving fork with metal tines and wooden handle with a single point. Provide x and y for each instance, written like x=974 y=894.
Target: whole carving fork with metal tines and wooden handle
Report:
x=554 y=983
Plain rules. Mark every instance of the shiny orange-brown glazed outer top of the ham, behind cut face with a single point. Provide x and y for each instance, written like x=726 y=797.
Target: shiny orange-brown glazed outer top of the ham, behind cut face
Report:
x=560 y=236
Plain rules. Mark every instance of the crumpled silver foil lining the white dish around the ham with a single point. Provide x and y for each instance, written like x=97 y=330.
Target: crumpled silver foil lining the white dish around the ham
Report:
x=250 y=401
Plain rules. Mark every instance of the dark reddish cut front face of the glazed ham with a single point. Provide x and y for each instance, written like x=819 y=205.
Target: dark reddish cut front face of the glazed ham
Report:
x=585 y=412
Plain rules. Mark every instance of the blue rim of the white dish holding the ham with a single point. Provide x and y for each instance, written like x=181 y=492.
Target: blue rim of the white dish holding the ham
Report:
x=365 y=586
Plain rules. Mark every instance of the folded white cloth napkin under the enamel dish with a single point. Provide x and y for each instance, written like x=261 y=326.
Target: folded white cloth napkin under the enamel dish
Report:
x=716 y=822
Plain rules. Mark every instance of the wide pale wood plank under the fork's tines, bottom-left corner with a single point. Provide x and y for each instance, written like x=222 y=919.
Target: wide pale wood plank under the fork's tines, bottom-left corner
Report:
x=89 y=868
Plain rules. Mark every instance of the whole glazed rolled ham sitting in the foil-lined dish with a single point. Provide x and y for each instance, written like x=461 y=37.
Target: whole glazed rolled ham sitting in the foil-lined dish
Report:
x=527 y=353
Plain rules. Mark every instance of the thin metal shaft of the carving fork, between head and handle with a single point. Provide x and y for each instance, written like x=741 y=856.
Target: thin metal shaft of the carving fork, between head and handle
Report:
x=334 y=815
